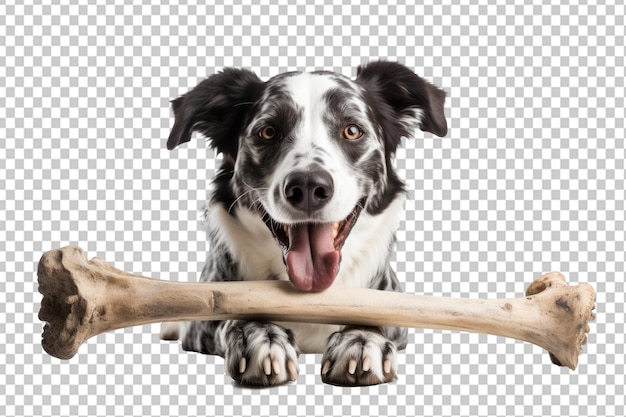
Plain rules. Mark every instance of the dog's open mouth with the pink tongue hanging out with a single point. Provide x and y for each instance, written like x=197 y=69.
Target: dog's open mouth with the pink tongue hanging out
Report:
x=312 y=251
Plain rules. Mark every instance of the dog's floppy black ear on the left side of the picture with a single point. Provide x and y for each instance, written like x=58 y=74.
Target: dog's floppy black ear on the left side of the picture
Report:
x=216 y=108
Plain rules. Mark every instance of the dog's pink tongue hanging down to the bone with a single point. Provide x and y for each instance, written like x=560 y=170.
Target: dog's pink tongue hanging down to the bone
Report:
x=312 y=261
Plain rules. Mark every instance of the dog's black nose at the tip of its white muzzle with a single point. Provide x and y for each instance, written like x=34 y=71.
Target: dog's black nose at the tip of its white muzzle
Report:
x=309 y=190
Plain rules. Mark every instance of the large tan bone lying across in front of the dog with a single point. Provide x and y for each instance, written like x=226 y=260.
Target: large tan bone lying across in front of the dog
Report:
x=84 y=298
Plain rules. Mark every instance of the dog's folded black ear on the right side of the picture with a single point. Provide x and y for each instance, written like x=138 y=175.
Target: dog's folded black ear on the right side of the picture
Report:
x=405 y=92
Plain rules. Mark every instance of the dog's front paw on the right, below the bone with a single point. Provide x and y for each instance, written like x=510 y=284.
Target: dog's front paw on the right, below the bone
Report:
x=357 y=357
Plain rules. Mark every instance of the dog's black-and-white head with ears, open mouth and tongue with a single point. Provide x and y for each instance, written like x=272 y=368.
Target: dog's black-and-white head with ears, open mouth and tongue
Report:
x=309 y=151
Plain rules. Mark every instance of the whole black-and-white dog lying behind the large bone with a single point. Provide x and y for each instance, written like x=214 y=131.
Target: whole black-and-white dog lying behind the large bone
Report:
x=306 y=192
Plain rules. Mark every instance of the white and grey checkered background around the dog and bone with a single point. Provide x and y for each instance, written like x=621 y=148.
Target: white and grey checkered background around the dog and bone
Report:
x=529 y=179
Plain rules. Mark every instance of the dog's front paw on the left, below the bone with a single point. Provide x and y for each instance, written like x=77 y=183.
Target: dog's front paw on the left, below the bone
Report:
x=261 y=354
